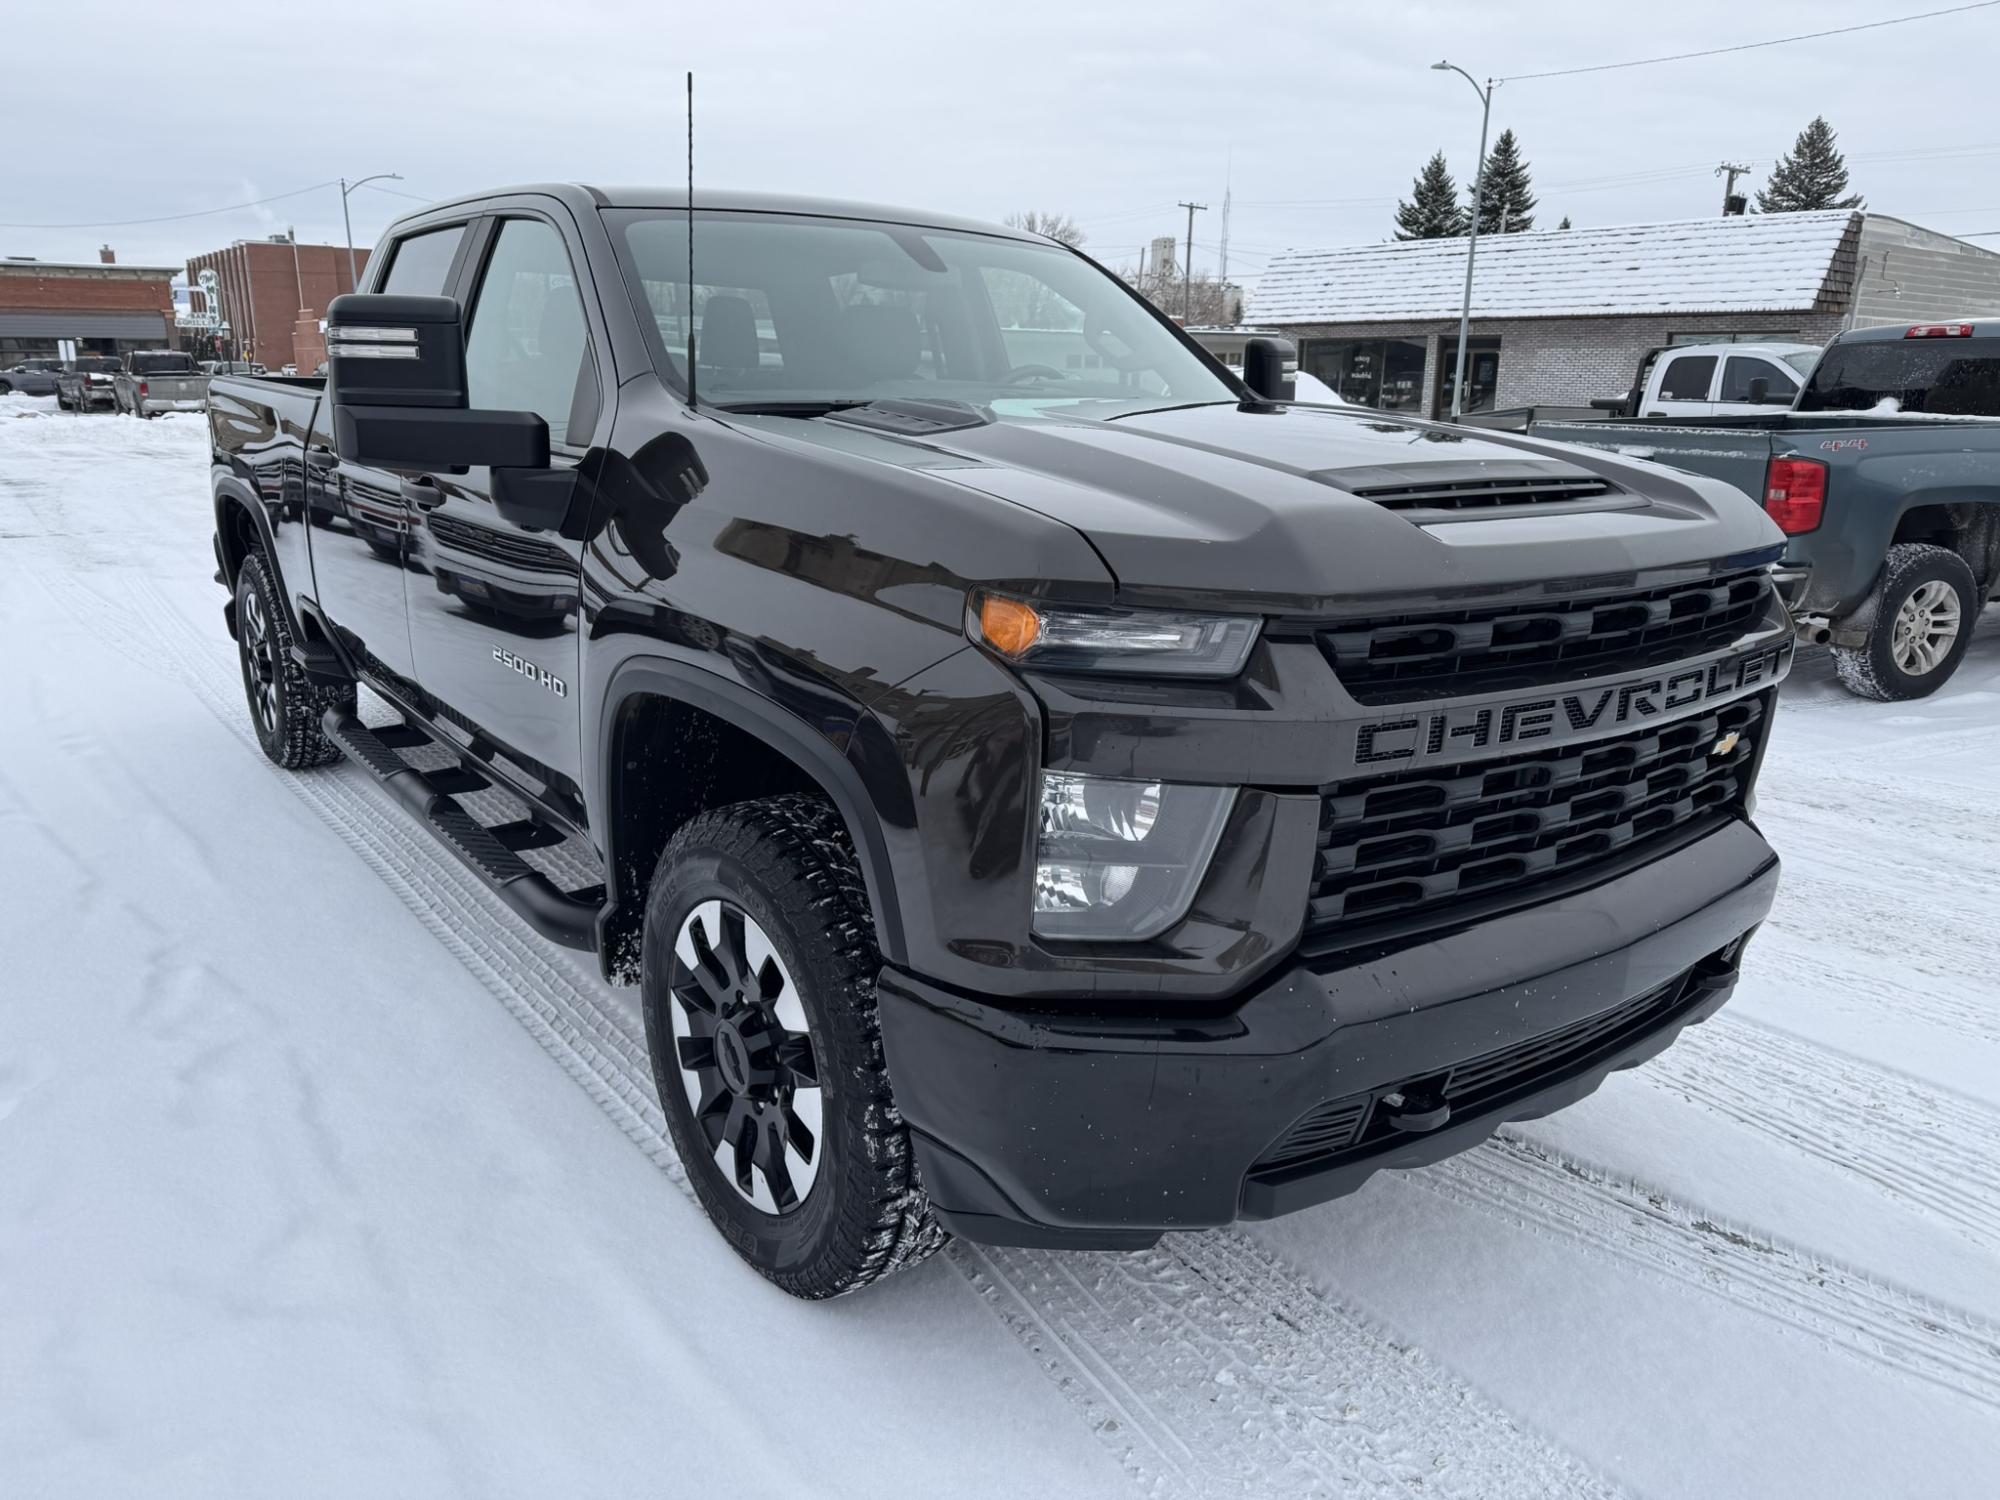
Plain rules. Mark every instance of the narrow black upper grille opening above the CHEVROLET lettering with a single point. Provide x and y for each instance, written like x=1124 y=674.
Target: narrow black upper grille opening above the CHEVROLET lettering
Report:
x=1529 y=645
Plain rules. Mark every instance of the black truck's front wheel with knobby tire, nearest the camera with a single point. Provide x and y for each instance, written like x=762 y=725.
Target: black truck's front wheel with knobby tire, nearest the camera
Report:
x=759 y=999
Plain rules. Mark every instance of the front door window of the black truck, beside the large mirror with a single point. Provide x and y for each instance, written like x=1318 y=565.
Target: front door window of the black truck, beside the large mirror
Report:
x=527 y=343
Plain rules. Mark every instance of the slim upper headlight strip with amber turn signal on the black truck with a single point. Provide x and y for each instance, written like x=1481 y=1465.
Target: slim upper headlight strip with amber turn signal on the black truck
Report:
x=1133 y=643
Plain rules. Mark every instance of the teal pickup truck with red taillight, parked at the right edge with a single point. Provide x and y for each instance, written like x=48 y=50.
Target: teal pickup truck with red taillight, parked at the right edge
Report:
x=1885 y=475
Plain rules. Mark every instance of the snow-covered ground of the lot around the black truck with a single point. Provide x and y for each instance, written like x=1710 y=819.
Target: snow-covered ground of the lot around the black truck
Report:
x=319 y=1175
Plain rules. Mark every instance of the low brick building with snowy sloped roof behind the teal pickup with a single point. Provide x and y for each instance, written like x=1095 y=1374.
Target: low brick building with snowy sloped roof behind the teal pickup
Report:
x=1563 y=317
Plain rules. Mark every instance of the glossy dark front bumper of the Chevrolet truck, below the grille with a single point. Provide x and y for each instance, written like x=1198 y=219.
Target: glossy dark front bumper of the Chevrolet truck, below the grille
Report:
x=1103 y=1131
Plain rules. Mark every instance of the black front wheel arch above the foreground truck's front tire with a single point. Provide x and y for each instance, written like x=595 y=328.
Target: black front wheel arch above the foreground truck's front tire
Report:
x=743 y=745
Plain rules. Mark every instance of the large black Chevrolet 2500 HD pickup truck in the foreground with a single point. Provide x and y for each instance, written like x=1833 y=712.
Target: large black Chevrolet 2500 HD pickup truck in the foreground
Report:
x=1045 y=787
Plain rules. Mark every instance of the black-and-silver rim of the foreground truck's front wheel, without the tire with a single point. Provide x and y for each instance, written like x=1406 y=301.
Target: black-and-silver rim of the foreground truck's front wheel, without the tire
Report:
x=747 y=1059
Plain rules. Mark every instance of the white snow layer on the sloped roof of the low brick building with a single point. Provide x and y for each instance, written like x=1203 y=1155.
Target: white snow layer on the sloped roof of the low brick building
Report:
x=1753 y=263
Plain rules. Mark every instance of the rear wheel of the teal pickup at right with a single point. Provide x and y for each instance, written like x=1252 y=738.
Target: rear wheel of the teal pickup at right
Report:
x=1923 y=623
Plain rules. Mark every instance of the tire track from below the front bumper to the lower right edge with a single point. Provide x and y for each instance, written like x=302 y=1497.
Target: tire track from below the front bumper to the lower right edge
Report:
x=1795 y=1289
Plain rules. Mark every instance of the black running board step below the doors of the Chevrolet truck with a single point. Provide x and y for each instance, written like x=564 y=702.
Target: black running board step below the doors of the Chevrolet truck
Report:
x=491 y=855
